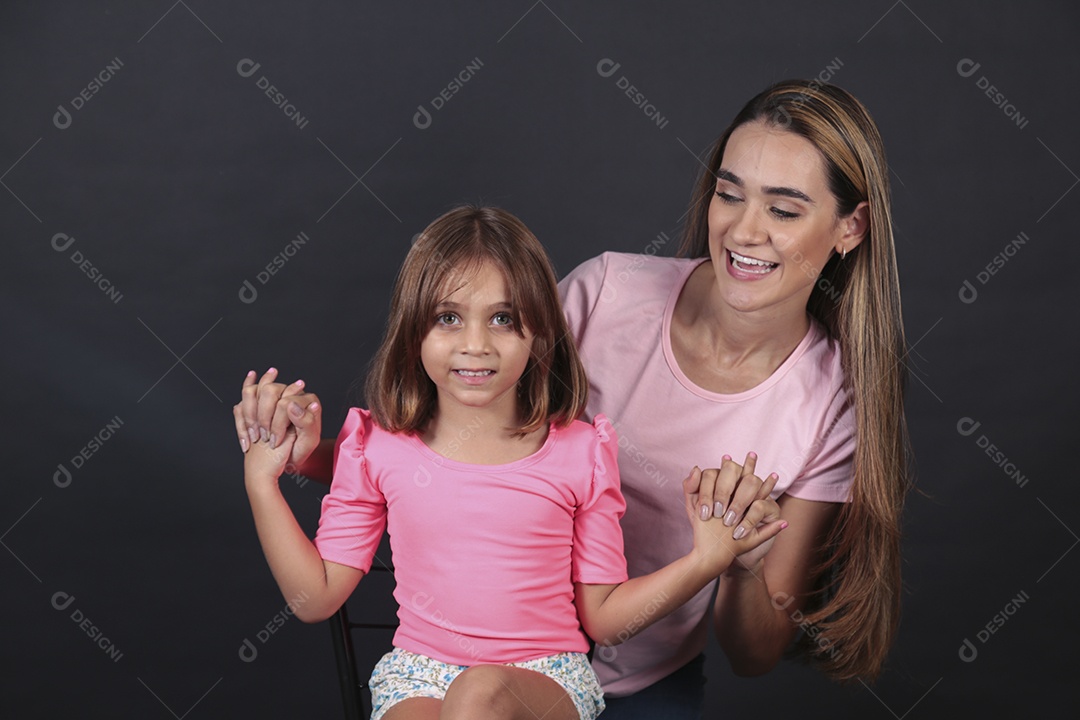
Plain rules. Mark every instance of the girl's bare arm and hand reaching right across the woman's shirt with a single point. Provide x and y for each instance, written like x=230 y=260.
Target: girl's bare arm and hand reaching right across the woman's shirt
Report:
x=613 y=614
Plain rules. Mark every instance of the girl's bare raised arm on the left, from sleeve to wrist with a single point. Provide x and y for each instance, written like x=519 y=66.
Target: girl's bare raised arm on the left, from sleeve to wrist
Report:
x=314 y=588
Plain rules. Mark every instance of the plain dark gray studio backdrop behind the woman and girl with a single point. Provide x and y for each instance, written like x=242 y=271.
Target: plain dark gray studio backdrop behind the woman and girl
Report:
x=147 y=176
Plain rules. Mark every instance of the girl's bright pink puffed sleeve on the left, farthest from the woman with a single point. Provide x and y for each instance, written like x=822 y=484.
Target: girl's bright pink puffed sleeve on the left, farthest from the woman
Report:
x=355 y=511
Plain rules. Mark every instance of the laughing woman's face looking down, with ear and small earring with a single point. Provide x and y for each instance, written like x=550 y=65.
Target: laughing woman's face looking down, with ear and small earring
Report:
x=773 y=223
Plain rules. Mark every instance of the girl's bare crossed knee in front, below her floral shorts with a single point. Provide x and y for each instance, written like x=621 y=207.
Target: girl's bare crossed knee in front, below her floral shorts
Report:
x=506 y=692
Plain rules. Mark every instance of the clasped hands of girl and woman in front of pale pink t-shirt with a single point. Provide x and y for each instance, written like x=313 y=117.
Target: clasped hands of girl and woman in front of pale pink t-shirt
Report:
x=740 y=536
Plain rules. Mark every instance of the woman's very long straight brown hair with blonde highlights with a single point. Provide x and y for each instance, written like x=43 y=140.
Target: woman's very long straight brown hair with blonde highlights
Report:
x=857 y=300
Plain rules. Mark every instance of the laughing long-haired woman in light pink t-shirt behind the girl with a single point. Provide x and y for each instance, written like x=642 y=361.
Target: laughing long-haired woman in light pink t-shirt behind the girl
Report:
x=778 y=332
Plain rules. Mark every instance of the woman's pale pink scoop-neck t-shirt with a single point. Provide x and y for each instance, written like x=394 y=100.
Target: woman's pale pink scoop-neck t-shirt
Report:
x=799 y=422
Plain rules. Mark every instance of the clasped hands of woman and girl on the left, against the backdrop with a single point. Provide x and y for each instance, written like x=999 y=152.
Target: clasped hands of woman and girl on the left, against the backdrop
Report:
x=268 y=410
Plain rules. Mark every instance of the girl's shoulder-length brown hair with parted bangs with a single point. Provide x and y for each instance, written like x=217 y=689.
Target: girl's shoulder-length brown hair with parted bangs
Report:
x=553 y=387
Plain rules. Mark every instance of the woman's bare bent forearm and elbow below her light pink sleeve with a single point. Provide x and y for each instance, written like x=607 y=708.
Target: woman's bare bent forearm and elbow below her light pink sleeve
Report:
x=755 y=606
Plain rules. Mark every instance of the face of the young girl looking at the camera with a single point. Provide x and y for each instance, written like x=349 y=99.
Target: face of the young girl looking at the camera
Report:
x=472 y=352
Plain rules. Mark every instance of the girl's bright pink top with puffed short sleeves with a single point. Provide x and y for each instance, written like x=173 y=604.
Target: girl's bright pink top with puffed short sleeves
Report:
x=485 y=556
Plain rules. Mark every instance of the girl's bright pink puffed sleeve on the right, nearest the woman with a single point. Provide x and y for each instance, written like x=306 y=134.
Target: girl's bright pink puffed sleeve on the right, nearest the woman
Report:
x=598 y=538
